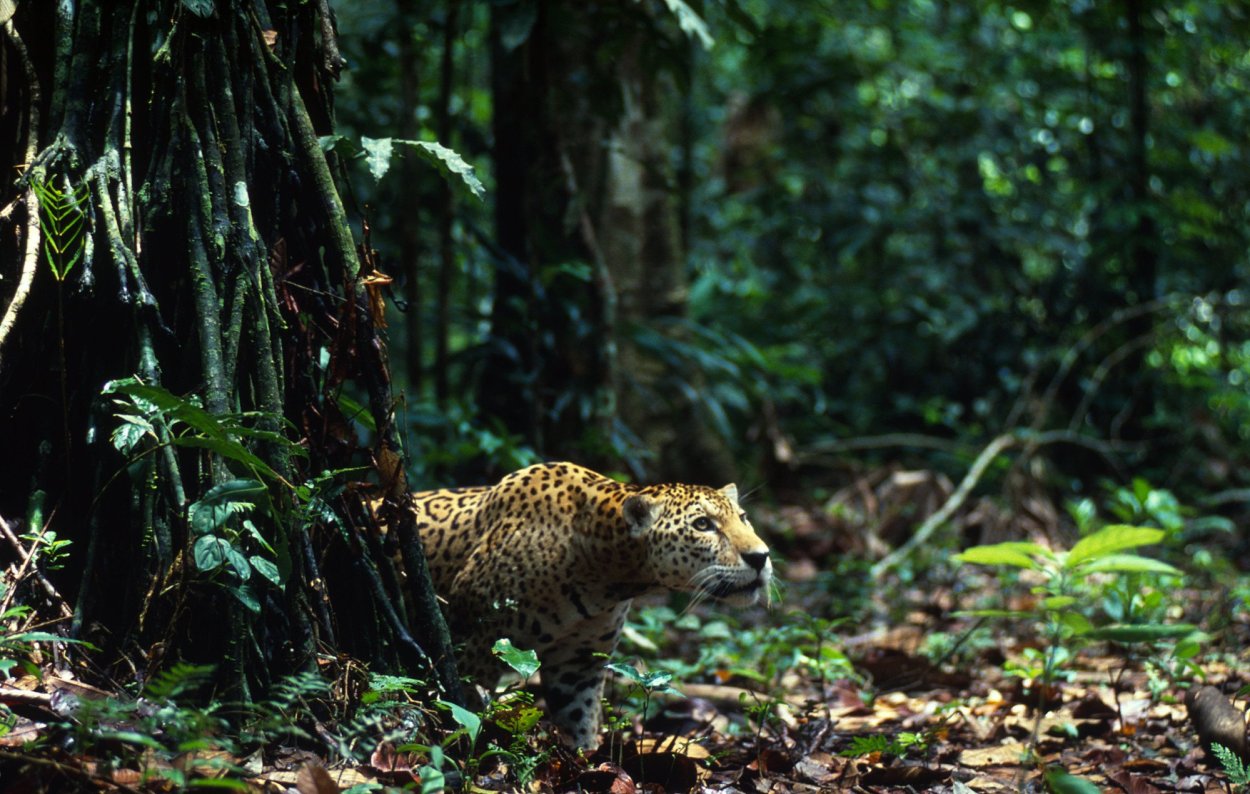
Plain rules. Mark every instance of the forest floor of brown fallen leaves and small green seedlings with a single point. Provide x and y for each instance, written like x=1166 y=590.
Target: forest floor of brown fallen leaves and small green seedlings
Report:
x=844 y=685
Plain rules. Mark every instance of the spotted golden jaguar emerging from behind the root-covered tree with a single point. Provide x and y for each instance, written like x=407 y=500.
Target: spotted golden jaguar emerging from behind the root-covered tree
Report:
x=552 y=556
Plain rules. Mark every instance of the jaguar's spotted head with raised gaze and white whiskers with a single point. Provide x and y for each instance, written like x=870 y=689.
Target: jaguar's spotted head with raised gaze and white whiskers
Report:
x=699 y=541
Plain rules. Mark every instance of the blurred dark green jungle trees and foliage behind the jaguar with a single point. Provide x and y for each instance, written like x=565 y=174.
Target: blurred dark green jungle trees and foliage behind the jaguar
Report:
x=922 y=219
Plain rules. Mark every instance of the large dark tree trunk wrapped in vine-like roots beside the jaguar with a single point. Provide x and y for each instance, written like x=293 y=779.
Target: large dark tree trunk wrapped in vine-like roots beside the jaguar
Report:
x=212 y=263
